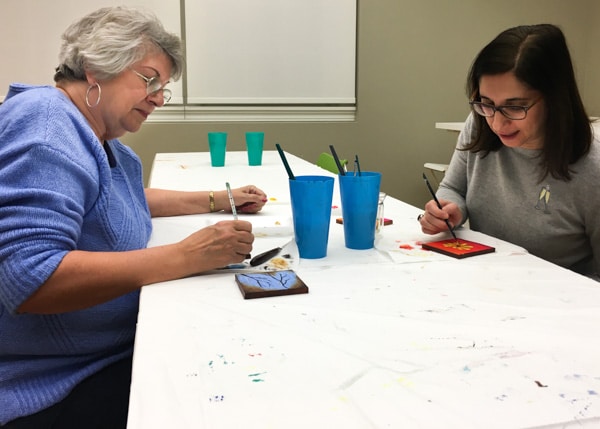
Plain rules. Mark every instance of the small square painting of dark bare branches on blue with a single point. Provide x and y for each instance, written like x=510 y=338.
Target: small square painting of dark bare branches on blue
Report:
x=273 y=283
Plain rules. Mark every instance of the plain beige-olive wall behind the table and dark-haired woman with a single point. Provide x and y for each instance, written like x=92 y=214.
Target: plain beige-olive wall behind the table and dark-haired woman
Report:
x=413 y=56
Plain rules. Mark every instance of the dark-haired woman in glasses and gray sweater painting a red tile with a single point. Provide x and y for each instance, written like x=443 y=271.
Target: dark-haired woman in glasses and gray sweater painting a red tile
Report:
x=527 y=166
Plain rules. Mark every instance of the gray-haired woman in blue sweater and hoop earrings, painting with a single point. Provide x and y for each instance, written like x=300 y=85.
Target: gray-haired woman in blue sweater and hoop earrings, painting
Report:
x=75 y=221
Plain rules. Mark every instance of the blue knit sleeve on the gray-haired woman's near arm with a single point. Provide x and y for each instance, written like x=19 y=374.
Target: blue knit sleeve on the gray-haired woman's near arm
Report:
x=46 y=187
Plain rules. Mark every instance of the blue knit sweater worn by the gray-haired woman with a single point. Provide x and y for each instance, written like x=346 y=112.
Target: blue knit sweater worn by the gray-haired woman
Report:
x=60 y=190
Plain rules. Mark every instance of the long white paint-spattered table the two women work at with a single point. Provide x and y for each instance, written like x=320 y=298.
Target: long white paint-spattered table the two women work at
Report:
x=391 y=337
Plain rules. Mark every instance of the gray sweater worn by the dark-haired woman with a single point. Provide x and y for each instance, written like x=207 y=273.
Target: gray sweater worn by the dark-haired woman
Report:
x=501 y=195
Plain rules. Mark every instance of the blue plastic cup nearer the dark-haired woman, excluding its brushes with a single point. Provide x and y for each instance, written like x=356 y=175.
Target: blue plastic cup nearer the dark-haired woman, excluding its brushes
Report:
x=360 y=198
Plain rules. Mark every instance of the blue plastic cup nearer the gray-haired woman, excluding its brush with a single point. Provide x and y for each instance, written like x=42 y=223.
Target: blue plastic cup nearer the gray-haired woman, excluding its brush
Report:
x=311 y=198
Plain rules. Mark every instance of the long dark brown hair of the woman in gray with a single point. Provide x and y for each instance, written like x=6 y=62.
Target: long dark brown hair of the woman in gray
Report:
x=539 y=57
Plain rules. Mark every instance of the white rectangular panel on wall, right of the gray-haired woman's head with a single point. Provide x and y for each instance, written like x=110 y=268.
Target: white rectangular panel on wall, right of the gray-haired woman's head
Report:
x=271 y=51
